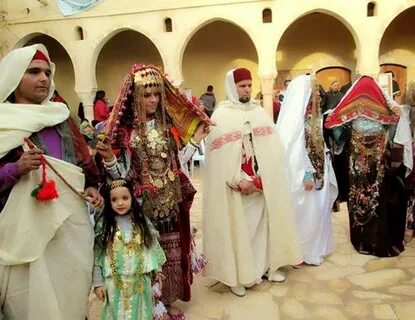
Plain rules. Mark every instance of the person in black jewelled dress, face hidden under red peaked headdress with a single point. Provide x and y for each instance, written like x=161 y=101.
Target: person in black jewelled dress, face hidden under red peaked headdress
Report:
x=377 y=199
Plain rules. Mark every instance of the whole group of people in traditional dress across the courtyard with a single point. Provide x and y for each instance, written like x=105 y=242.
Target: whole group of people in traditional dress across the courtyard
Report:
x=269 y=190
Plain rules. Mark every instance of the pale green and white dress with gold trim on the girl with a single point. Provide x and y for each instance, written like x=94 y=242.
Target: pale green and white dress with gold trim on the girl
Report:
x=126 y=267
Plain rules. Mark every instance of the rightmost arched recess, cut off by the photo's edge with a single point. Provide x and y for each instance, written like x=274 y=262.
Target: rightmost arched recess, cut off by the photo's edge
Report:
x=397 y=50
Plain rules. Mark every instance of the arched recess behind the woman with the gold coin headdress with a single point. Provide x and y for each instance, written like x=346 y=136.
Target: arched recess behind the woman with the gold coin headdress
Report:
x=118 y=55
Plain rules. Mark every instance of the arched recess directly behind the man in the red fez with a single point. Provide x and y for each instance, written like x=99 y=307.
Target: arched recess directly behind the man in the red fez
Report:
x=206 y=59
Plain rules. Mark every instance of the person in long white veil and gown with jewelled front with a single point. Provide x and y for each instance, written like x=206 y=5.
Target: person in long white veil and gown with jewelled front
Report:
x=313 y=197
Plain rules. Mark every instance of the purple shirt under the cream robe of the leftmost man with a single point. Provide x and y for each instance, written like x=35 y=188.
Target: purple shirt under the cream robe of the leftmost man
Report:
x=9 y=173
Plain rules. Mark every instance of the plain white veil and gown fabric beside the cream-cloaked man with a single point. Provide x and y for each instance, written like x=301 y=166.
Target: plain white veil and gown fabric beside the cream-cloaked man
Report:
x=312 y=208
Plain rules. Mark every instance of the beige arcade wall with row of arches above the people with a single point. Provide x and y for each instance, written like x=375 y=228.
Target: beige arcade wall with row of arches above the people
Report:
x=305 y=31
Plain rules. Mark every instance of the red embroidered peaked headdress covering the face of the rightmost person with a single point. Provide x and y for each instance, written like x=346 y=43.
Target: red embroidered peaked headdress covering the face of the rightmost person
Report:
x=364 y=99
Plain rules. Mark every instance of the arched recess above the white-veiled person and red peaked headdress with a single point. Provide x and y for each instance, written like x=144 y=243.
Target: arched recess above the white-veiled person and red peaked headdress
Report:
x=313 y=42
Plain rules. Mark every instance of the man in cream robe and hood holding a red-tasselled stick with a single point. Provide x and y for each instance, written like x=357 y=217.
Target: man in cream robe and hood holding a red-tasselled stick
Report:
x=46 y=247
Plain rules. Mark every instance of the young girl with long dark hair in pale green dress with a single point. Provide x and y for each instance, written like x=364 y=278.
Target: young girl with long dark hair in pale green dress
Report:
x=128 y=257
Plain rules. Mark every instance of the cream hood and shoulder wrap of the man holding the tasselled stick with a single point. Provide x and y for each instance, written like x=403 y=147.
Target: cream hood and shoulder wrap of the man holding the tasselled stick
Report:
x=19 y=121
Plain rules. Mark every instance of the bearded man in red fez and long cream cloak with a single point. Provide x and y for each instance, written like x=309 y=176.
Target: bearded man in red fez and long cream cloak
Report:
x=248 y=219
